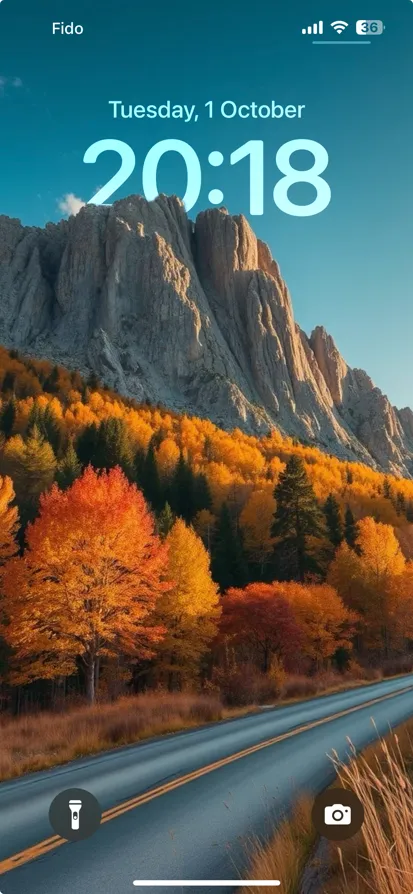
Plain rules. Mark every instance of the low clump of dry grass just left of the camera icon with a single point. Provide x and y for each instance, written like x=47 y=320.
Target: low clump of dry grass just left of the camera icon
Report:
x=285 y=858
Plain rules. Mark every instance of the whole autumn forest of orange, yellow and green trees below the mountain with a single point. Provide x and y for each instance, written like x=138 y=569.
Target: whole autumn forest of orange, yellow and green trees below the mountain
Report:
x=144 y=550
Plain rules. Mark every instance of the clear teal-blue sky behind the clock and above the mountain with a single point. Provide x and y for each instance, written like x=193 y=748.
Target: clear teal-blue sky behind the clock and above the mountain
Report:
x=349 y=268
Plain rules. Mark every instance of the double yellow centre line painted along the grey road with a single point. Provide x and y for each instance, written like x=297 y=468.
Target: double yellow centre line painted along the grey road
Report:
x=49 y=844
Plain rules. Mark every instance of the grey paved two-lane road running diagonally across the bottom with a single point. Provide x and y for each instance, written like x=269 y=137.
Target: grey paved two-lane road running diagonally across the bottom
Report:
x=197 y=830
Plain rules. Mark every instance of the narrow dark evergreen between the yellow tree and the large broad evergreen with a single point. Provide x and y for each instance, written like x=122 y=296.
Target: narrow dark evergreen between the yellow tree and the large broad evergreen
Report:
x=229 y=567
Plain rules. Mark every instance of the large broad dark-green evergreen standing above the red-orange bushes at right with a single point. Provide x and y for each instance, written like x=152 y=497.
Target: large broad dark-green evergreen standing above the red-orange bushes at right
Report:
x=296 y=518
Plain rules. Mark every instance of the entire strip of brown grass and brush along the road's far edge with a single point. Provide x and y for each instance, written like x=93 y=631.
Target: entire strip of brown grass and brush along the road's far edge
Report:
x=38 y=740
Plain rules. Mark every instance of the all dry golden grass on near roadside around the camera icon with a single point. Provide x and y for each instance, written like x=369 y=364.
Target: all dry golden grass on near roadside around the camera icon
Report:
x=379 y=858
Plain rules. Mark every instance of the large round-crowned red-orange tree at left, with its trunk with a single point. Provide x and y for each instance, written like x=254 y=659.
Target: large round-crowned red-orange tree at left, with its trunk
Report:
x=90 y=575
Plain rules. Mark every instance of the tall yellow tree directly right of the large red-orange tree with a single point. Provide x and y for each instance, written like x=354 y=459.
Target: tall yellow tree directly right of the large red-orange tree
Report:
x=189 y=610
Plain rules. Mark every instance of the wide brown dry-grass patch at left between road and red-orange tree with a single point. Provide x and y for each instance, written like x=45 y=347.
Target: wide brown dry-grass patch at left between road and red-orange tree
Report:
x=40 y=741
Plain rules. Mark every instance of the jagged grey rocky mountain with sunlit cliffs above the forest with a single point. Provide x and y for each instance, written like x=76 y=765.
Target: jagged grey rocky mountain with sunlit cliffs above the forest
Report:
x=193 y=315
